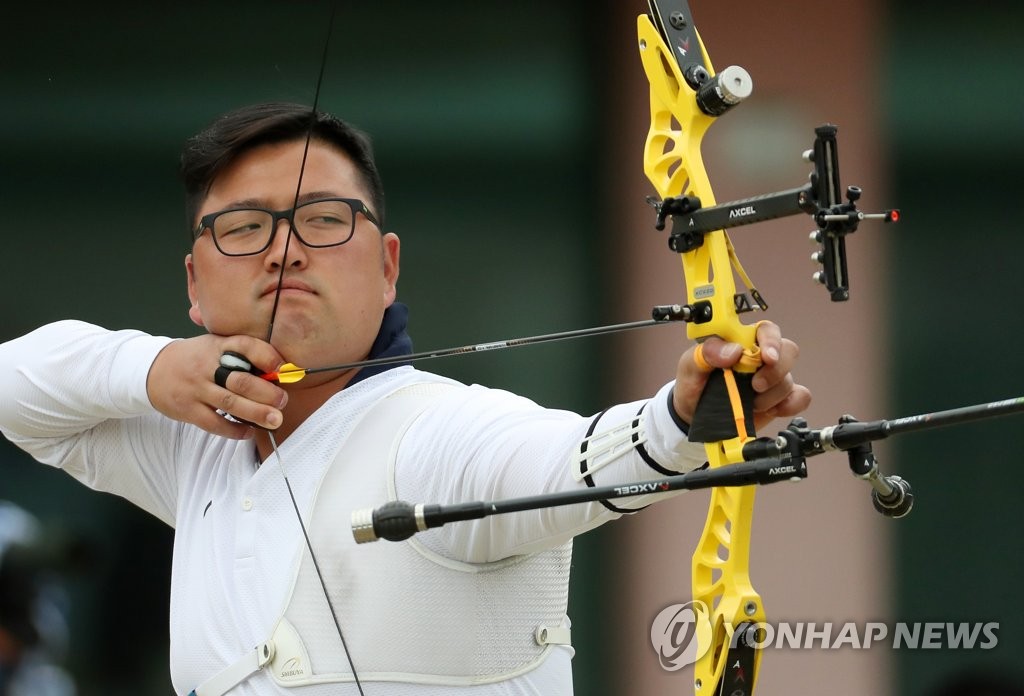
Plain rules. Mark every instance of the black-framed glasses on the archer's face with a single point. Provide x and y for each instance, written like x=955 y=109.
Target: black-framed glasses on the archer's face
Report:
x=243 y=232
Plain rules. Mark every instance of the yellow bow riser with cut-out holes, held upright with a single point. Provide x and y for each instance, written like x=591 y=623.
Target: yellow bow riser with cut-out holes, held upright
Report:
x=674 y=165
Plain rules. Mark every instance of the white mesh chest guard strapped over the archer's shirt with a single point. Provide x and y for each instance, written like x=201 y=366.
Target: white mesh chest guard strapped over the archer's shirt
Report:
x=410 y=615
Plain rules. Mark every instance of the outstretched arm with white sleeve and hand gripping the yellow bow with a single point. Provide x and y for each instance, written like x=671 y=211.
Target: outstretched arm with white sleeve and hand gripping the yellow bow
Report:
x=487 y=445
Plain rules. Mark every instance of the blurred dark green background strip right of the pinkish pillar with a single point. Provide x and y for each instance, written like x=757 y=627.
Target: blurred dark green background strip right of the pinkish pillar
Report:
x=956 y=127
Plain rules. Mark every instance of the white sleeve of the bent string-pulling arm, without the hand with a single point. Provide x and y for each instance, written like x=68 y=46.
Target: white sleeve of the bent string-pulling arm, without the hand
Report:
x=73 y=396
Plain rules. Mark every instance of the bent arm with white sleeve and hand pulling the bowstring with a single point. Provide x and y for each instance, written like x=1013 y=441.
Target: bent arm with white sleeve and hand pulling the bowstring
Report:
x=94 y=403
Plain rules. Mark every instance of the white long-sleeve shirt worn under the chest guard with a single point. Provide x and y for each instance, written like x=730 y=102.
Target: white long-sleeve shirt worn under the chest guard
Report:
x=75 y=399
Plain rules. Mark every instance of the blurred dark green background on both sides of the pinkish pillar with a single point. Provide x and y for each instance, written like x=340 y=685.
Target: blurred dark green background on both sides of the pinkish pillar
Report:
x=489 y=122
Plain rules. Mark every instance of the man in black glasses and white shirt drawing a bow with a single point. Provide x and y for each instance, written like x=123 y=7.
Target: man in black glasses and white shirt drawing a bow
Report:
x=471 y=608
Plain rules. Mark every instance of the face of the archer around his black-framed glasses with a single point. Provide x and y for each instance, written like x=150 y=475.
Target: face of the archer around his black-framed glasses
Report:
x=333 y=298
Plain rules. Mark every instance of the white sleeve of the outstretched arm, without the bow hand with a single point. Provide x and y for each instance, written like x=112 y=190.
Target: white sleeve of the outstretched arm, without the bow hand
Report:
x=484 y=445
